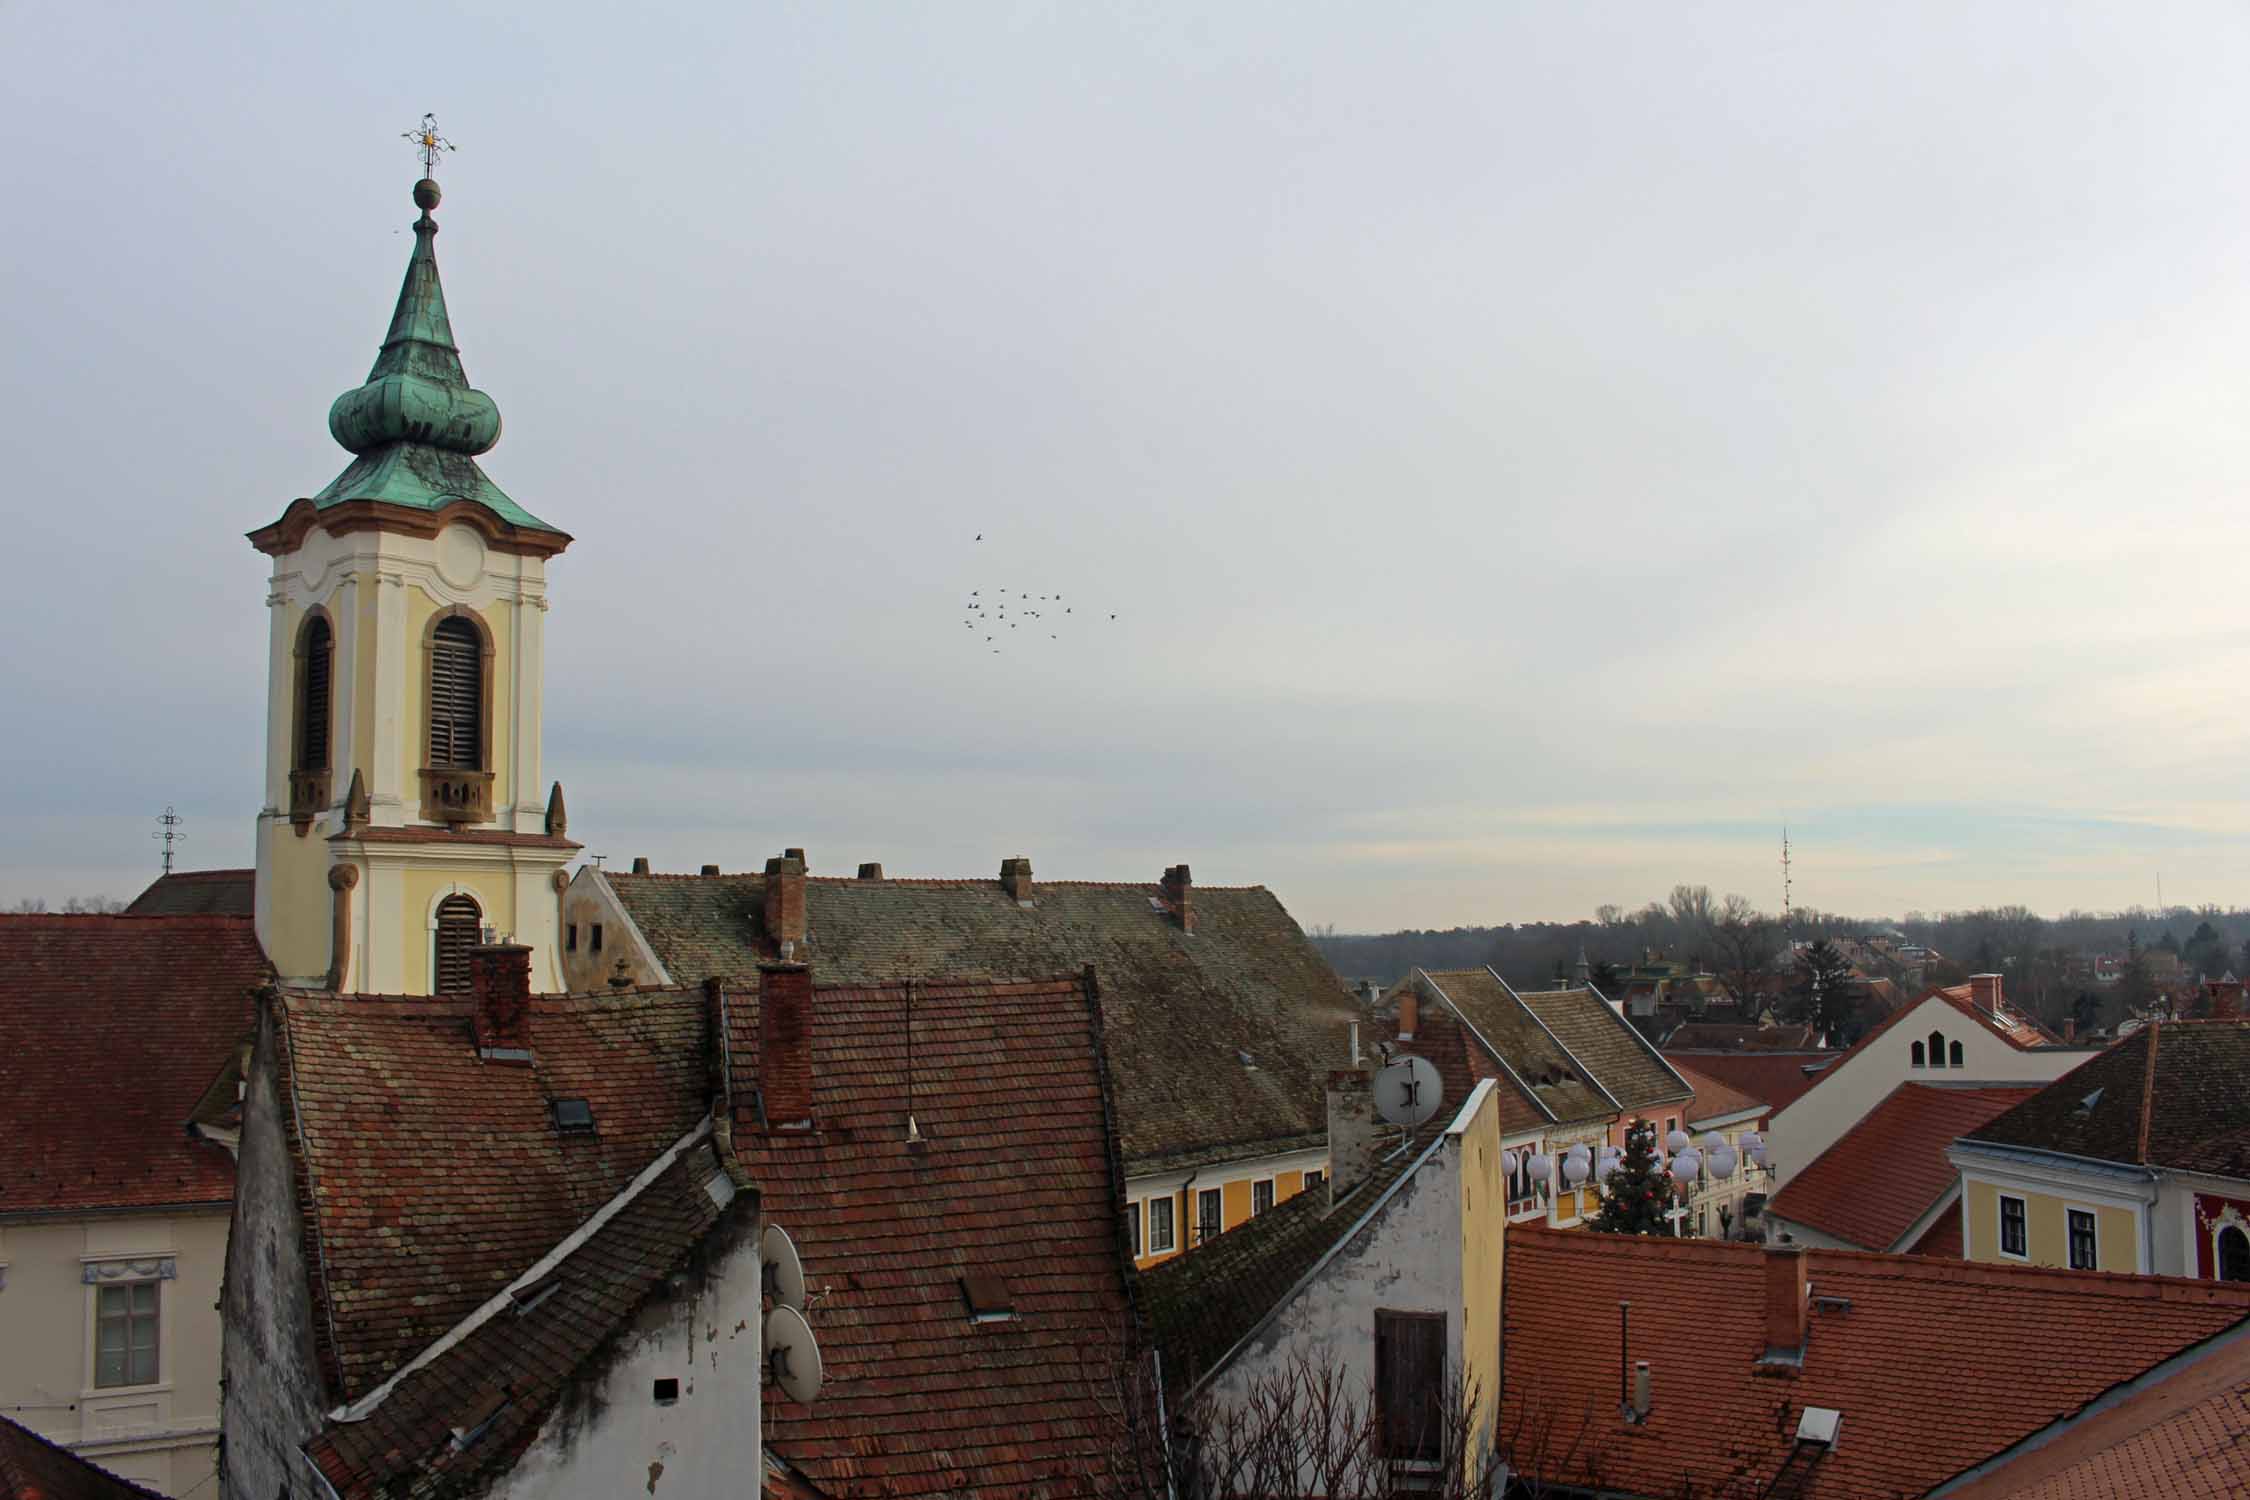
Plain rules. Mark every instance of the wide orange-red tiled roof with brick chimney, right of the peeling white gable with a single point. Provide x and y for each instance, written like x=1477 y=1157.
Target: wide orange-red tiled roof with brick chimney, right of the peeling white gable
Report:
x=1934 y=1364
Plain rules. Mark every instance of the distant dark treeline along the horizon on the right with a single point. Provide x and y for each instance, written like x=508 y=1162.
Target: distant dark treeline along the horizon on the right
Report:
x=1700 y=930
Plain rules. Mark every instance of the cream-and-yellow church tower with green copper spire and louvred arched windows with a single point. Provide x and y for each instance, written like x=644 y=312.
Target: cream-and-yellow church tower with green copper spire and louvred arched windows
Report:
x=408 y=602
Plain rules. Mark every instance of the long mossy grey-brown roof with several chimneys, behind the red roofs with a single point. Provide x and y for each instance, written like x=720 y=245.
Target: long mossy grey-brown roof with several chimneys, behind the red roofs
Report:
x=1178 y=1009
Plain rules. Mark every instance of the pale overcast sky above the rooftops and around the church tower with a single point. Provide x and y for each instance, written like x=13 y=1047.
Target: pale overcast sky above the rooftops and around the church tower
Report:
x=1531 y=449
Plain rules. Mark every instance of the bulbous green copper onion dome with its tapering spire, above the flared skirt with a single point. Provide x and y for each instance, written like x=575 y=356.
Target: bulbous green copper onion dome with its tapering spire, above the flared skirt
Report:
x=417 y=390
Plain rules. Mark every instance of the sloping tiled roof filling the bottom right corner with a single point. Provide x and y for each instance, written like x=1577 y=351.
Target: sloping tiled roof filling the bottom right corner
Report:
x=2184 y=1436
